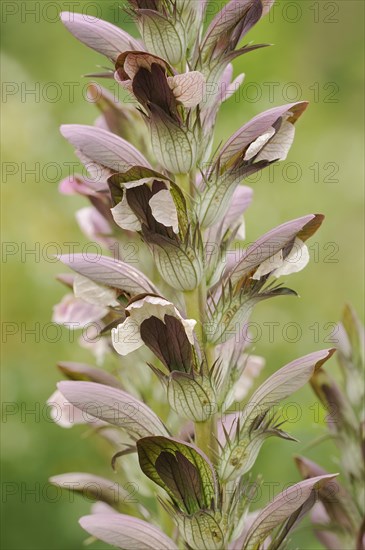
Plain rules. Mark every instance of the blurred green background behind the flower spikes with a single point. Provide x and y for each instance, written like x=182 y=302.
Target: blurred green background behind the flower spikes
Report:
x=317 y=56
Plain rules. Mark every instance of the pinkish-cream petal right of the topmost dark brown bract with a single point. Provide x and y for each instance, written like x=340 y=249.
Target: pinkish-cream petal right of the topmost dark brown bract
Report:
x=188 y=88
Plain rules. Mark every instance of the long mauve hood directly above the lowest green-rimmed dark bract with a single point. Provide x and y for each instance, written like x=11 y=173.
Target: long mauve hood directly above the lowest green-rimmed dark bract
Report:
x=113 y=406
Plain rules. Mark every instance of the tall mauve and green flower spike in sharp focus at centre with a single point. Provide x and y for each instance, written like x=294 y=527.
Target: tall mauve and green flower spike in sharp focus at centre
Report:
x=152 y=179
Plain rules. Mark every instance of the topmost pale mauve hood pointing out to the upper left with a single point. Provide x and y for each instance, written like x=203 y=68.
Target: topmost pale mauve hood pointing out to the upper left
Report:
x=99 y=35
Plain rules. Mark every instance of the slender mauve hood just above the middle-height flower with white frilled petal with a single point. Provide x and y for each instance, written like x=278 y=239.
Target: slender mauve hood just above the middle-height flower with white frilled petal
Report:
x=110 y=272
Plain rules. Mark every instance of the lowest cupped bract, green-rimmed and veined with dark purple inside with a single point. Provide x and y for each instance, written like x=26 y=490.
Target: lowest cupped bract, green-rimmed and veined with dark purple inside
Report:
x=181 y=469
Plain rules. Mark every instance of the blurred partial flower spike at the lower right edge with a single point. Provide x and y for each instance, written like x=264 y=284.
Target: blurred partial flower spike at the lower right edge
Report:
x=339 y=516
